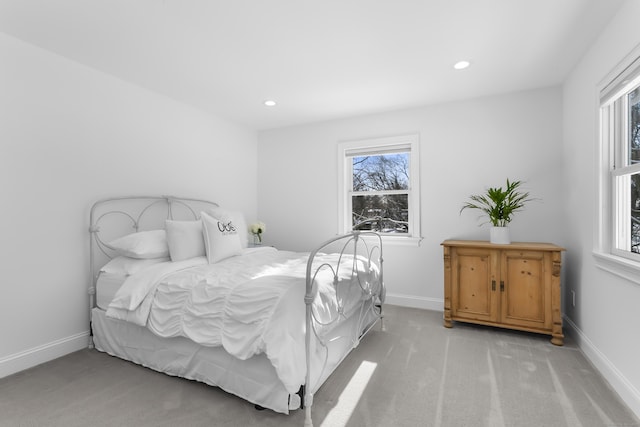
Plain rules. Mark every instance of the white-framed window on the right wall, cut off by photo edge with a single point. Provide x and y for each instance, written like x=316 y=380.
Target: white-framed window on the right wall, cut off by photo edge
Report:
x=620 y=177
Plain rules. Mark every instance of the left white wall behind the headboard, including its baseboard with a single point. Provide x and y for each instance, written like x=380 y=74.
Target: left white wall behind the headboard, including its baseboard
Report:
x=70 y=135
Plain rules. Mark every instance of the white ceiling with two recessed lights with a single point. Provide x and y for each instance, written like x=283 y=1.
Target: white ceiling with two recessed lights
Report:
x=319 y=59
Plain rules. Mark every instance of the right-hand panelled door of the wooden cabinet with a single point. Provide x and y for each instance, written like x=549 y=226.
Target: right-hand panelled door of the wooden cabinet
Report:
x=526 y=289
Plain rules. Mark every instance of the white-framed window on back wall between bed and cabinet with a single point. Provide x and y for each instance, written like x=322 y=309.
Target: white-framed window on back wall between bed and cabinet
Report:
x=379 y=186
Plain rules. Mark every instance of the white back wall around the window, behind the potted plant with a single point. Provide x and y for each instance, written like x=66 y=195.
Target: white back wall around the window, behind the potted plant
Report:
x=465 y=147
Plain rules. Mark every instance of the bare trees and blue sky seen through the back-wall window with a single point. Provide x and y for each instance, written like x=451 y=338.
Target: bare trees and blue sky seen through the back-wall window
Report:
x=380 y=193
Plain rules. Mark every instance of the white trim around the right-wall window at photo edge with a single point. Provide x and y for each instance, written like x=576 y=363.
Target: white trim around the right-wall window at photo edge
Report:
x=606 y=256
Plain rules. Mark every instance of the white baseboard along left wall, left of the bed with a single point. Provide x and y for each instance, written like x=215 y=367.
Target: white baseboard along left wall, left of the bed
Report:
x=41 y=354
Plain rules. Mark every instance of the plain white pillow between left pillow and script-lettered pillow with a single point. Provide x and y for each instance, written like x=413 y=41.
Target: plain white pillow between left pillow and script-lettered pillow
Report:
x=185 y=239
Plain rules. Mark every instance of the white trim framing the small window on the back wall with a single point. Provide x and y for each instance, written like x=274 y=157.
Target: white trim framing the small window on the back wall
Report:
x=413 y=141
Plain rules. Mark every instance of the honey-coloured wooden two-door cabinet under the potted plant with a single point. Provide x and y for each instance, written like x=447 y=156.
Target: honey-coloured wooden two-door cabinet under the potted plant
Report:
x=513 y=286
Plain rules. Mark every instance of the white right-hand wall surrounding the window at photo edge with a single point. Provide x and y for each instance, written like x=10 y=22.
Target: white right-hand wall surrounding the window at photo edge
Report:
x=606 y=316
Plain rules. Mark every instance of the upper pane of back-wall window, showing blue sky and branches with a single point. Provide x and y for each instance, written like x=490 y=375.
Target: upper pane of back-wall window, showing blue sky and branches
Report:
x=381 y=172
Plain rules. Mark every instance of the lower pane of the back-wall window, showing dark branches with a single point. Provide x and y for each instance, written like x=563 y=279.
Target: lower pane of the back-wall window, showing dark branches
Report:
x=381 y=213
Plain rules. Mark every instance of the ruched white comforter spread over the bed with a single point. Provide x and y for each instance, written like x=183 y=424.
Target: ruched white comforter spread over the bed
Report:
x=248 y=304
